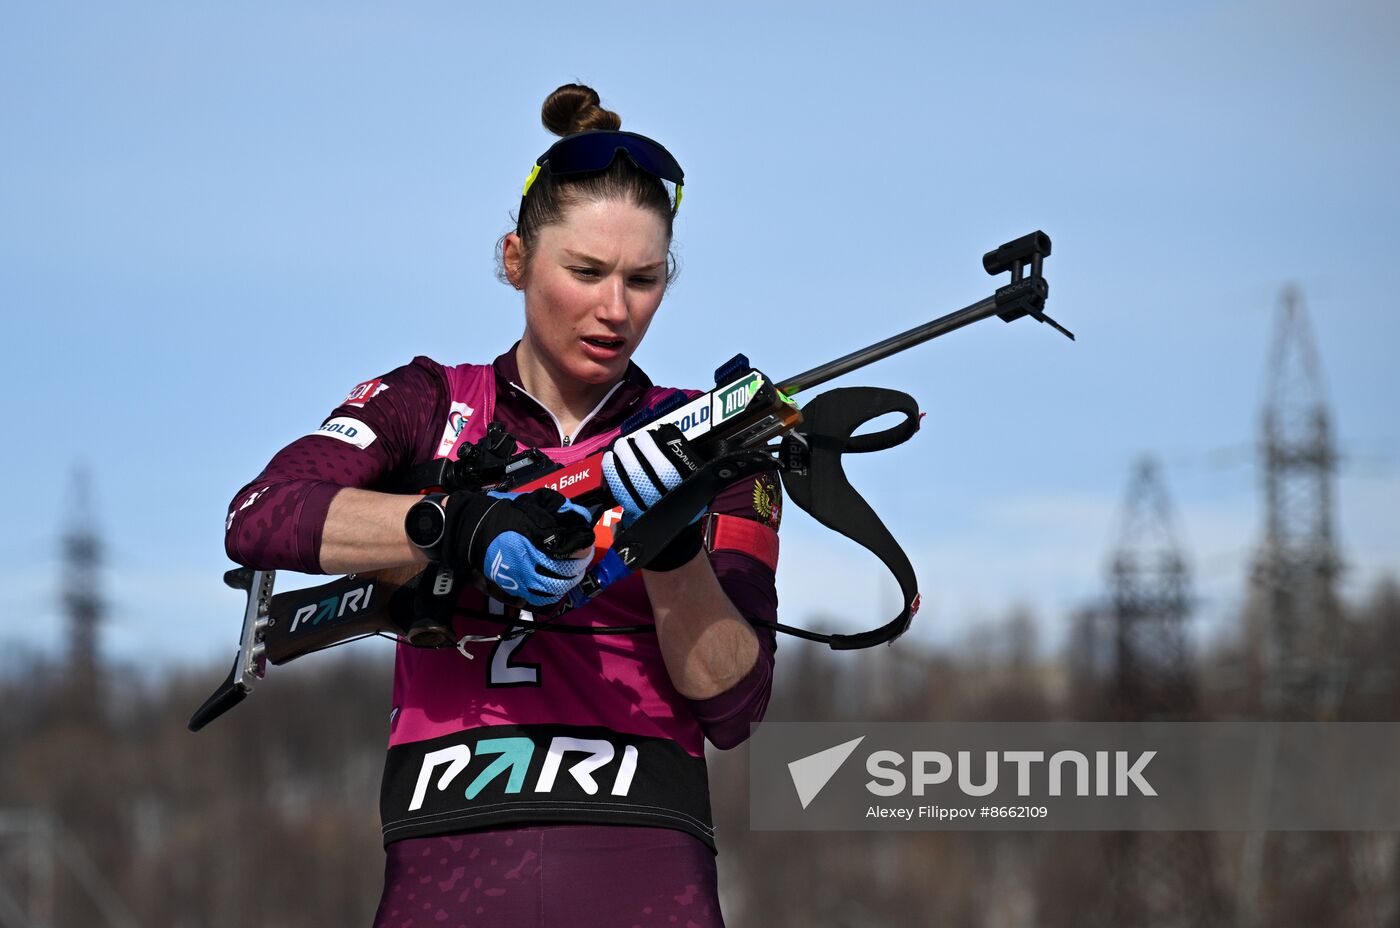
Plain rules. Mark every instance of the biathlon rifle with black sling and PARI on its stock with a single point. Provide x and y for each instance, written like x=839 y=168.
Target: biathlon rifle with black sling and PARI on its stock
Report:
x=731 y=428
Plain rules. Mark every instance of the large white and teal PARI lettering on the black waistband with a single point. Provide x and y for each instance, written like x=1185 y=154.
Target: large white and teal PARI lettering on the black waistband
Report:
x=513 y=762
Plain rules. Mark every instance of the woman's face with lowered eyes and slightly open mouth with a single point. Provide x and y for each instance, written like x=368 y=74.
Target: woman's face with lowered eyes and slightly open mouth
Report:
x=591 y=288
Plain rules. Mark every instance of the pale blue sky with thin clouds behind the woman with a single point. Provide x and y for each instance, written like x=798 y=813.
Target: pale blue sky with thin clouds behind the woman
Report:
x=215 y=220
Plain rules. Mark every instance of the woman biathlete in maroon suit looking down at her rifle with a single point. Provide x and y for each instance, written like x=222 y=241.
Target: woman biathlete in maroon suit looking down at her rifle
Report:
x=545 y=779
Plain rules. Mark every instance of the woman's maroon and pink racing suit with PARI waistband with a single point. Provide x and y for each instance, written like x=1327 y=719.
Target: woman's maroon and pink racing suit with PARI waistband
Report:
x=573 y=751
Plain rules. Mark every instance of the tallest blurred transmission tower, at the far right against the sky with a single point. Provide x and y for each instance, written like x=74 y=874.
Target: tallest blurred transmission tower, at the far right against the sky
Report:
x=1300 y=878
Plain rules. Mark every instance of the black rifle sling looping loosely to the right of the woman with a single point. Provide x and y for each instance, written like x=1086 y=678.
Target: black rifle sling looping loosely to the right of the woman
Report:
x=815 y=481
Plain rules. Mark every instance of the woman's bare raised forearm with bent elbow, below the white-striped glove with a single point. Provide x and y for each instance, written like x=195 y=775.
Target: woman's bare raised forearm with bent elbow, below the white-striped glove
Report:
x=706 y=645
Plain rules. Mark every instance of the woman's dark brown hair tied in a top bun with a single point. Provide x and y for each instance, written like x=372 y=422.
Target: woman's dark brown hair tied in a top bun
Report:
x=570 y=110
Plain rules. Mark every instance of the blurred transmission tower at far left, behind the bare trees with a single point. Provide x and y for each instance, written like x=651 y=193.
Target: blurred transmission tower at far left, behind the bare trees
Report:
x=83 y=604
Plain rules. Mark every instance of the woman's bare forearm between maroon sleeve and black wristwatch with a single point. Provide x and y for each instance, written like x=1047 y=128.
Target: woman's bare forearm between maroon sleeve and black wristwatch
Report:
x=365 y=531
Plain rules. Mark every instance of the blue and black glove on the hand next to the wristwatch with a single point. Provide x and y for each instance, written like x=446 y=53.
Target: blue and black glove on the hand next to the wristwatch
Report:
x=520 y=542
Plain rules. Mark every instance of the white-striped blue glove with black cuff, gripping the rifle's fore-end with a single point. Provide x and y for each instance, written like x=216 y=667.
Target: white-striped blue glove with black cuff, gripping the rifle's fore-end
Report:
x=643 y=468
